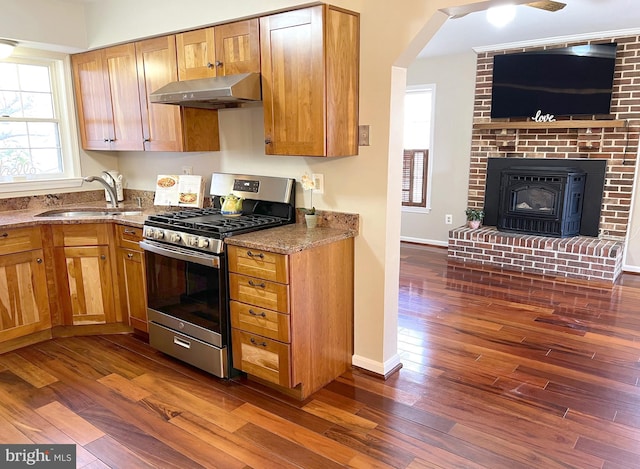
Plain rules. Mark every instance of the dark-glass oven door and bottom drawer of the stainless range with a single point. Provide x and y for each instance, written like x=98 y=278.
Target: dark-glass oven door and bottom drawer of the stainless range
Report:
x=187 y=305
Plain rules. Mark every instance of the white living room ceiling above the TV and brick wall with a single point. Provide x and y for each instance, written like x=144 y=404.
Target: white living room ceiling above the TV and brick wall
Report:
x=578 y=19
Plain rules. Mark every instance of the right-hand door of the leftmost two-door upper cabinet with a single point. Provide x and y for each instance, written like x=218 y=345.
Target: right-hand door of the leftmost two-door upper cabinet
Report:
x=124 y=98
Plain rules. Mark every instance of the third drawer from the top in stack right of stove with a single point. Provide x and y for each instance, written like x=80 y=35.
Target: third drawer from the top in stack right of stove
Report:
x=260 y=321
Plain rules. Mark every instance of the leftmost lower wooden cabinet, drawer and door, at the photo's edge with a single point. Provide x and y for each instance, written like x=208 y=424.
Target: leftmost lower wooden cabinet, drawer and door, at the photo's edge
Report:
x=24 y=301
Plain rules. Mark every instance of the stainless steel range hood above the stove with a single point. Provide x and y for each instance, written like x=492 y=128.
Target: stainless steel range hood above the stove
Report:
x=211 y=93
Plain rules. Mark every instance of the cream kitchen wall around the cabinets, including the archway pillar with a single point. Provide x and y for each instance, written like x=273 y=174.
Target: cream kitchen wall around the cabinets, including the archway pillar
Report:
x=368 y=184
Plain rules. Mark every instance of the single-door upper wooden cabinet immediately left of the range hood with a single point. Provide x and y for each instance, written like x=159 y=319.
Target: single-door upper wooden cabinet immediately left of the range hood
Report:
x=167 y=127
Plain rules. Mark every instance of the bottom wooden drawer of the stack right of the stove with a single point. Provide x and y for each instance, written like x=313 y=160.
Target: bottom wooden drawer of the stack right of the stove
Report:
x=261 y=357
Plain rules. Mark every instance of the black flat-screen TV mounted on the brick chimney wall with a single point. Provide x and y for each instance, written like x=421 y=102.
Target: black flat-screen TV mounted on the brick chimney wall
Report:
x=568 y=81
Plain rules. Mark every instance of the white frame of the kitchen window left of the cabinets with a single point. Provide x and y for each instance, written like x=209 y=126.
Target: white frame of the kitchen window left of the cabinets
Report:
x=64 y=109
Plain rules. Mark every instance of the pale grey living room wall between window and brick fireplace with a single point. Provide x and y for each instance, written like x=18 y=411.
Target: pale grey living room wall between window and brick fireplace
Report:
x=454 y=77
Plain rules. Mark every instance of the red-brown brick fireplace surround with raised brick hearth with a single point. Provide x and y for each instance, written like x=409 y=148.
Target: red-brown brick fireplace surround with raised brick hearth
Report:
x=576 y=258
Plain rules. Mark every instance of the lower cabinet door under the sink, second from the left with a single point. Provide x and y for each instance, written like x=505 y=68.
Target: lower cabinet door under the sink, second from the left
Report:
x=85 y=284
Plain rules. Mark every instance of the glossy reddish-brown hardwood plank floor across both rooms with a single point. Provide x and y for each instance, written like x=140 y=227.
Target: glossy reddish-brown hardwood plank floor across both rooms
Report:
x=499 y=371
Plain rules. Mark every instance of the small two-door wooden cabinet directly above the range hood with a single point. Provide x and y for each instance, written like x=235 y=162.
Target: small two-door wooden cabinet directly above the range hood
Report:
x=217 y=51
